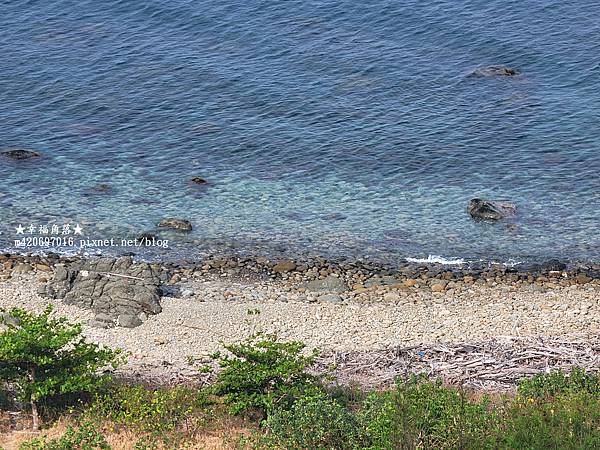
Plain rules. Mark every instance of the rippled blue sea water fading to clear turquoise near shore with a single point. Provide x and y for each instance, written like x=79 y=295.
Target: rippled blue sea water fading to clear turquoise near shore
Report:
x=340 y=128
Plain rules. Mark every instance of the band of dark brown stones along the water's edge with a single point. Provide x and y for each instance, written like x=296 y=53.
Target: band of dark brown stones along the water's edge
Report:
x=358 y=275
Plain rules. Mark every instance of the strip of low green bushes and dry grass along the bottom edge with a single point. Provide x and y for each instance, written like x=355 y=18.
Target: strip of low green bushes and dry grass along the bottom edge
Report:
x=554 y=411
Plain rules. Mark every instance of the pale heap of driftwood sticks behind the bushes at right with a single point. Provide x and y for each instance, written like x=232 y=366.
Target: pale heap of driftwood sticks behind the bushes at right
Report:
x=494 y=365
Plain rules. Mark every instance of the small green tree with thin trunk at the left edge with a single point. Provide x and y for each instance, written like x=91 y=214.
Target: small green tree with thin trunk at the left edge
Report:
x=44 y=356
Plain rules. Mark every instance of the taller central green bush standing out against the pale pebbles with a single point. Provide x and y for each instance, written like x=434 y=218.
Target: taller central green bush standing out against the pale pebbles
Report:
x=263 y=373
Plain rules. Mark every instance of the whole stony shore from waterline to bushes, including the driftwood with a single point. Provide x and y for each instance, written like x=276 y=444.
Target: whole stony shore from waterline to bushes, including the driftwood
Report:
x=385 y=322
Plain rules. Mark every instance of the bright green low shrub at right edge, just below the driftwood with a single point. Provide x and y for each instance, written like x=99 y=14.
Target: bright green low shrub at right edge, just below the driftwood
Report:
x=547 y=385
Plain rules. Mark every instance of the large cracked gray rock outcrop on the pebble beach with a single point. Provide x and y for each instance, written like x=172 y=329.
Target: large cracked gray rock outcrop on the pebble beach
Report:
x=118 y=290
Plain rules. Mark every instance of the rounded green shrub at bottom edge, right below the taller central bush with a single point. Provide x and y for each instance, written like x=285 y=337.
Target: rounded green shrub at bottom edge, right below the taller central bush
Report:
x=314 y=422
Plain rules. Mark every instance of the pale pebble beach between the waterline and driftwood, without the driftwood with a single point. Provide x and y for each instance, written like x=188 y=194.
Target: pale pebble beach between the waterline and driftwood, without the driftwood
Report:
x=214 y=304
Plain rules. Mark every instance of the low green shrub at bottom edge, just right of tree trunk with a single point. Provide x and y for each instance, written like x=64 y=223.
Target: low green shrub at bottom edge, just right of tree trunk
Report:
x=85 y=437
